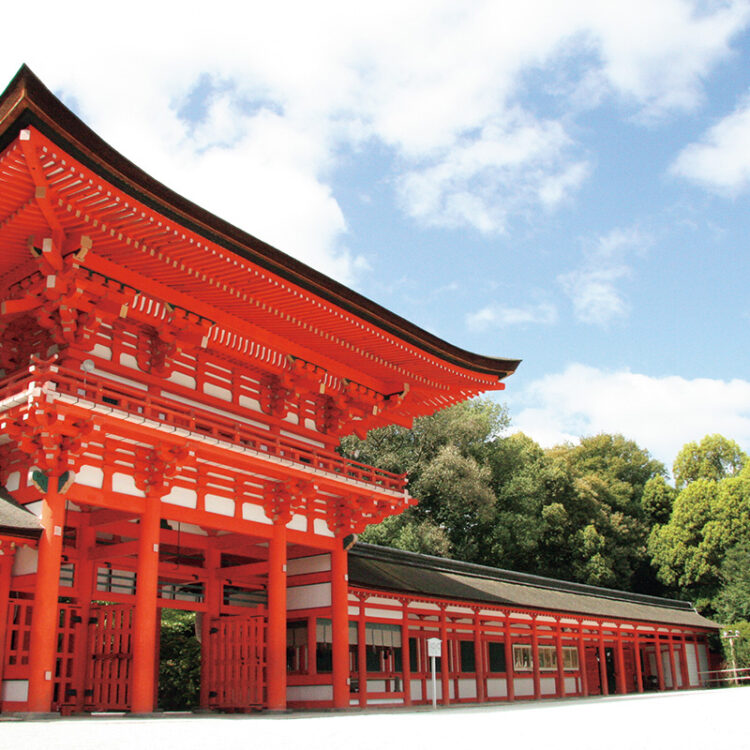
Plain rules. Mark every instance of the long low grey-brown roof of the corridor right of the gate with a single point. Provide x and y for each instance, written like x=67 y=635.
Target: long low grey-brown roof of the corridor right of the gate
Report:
x=394 y=570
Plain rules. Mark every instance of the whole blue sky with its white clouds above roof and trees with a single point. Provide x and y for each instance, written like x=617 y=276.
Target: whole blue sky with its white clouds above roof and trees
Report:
x=566 y=183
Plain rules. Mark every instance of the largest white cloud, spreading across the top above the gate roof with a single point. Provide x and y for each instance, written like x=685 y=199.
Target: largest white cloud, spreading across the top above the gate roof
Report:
x=438 y=83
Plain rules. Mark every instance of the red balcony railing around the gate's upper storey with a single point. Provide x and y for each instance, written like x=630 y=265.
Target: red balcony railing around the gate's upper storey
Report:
x=127 y=401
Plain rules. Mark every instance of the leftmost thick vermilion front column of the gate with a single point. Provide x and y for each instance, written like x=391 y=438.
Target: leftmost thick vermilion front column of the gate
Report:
x=44 y=619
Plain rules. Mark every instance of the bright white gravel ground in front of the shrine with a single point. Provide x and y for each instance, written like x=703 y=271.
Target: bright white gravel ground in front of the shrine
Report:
x=697 y=719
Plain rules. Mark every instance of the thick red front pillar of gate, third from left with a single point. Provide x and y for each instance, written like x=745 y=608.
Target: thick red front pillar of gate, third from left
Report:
x=276 y=639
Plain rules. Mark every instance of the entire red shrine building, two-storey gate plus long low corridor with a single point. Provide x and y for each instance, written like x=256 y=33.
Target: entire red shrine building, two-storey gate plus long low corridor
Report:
x=172 y=393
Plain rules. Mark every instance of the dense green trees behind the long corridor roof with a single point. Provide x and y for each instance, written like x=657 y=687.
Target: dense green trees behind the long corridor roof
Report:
x=600 y=512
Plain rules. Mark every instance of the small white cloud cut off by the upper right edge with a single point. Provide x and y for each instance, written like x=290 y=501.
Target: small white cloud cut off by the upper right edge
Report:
x=721 y=160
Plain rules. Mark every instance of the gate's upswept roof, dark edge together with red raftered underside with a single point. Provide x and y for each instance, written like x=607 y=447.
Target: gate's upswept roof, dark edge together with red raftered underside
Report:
x=184 y=248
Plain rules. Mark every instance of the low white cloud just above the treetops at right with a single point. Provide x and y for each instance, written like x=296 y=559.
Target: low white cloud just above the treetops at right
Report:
x=660 y=414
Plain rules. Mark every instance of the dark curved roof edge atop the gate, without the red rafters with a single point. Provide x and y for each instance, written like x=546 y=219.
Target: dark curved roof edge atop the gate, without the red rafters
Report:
x=27 y=102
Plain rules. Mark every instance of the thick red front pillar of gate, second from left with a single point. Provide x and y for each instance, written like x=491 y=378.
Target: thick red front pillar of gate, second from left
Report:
x=145 y=620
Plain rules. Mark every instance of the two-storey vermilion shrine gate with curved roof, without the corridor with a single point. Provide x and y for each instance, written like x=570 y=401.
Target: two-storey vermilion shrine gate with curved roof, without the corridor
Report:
x=172 y=392
